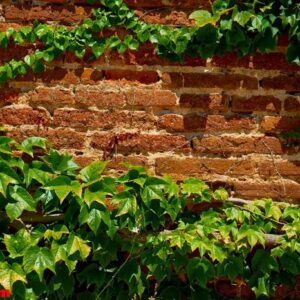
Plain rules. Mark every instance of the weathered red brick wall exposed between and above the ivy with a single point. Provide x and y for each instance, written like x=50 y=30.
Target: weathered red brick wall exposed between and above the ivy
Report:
x=219 y=120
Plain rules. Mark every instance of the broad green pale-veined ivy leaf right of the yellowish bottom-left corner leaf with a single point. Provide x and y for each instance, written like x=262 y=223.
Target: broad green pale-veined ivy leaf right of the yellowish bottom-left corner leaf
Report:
x=38 y=259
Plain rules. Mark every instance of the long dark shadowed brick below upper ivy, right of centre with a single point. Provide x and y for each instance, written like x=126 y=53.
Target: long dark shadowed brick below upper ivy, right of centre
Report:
x=208 y=80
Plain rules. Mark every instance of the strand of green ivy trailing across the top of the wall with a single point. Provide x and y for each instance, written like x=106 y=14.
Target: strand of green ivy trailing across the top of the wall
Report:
x=232 y=25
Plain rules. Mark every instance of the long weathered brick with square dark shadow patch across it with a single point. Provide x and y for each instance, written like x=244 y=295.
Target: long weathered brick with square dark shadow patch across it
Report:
x=211 y=123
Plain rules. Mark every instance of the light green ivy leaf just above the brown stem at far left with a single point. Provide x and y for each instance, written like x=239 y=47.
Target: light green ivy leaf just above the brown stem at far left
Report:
x=23 y=201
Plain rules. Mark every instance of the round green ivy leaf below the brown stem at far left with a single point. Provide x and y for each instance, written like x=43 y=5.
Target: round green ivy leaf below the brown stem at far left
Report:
x=17 y=244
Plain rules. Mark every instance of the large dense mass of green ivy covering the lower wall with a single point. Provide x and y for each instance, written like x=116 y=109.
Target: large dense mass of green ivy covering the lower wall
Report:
x=66 y=232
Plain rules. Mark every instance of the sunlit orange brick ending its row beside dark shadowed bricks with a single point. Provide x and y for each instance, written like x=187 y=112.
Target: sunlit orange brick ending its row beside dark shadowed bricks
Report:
x=153 y=97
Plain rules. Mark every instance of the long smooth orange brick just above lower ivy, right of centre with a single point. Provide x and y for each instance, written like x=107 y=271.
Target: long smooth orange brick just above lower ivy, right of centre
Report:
x=199 y=167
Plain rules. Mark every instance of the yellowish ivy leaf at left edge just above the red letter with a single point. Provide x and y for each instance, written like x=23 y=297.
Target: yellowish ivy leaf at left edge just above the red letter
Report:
x=9 y=274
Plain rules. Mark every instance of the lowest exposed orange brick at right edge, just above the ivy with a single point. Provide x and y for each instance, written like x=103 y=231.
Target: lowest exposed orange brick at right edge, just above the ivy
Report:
x=283 y=189
